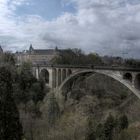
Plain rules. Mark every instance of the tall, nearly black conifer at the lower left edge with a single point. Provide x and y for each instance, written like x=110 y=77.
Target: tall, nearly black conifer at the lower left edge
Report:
x=10 y=127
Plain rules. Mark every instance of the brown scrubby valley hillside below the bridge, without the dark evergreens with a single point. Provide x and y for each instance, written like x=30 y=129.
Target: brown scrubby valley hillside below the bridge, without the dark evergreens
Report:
x=92 y=100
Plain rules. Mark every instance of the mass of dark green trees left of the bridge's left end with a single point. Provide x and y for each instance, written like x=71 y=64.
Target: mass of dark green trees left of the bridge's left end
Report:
x=19 y=91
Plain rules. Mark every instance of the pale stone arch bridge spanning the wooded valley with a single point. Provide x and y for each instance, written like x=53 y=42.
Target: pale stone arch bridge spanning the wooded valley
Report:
x=57 y=76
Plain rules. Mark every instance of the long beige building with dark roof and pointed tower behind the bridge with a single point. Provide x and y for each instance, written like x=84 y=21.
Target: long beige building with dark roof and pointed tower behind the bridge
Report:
x=37 y=56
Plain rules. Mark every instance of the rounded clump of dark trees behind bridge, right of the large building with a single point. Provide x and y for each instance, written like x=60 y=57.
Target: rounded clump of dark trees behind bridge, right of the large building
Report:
x=77 y=57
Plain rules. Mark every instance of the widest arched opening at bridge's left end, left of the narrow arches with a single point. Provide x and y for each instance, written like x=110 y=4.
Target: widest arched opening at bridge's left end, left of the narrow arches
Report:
x=44 y=74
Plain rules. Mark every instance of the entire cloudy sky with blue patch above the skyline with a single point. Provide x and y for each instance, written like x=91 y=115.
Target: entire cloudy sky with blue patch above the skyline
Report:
x=108 y=27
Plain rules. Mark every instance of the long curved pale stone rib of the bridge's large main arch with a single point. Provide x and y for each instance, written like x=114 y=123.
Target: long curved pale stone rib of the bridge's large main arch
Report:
x=116 y=76
